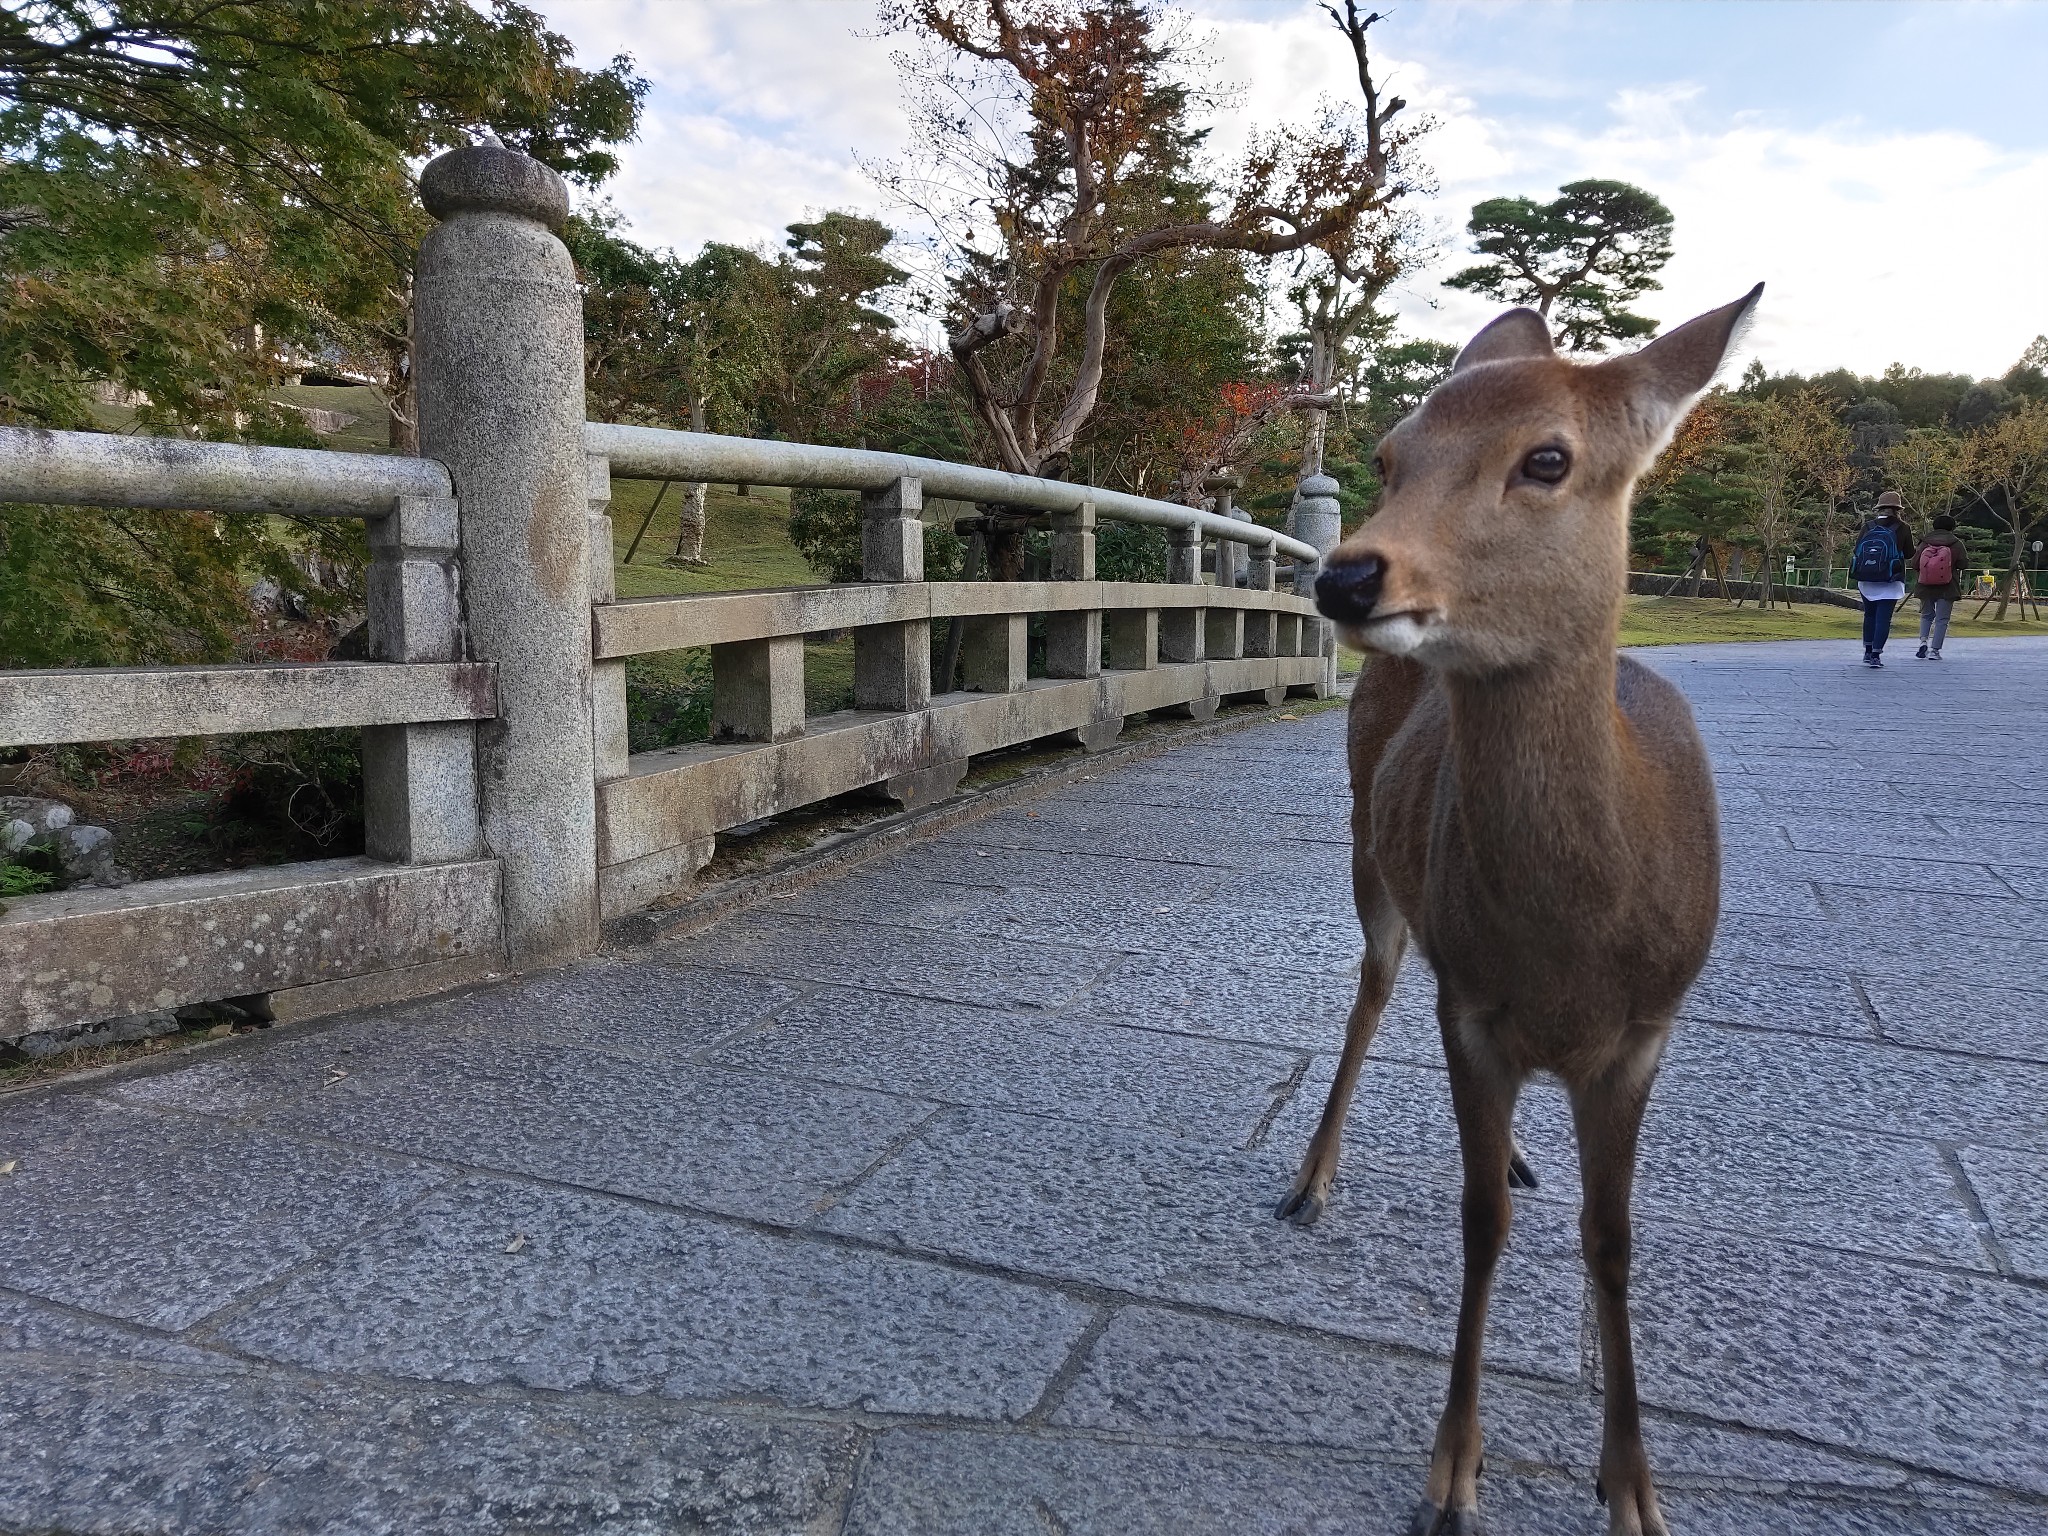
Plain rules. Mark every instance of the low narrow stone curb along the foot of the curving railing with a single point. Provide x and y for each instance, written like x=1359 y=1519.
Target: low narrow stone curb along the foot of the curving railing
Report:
x=904 y=828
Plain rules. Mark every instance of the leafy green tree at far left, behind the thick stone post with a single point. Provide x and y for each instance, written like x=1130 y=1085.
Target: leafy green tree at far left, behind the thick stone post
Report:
x=200 y=200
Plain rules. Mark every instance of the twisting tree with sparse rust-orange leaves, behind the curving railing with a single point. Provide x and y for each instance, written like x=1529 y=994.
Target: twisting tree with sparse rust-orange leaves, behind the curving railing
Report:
x=1060 y=140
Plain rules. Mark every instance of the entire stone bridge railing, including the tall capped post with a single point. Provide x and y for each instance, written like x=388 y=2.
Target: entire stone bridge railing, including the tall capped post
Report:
x=505 y=814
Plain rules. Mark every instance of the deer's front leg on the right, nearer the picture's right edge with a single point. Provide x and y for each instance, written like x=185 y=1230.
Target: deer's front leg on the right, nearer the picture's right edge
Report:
x=1609 y=1115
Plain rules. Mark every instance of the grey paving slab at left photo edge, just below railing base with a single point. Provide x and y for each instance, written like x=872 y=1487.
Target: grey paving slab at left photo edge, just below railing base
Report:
x=161 y=1220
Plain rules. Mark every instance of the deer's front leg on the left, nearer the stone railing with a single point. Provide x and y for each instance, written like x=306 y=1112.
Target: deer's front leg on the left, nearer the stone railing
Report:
x=1486 y=1105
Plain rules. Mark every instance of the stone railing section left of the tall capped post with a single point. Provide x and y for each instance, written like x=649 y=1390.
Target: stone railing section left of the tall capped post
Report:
x=425 y=894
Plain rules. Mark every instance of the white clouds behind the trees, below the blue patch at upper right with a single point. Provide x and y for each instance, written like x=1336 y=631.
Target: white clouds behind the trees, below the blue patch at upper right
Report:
x=1879 y=245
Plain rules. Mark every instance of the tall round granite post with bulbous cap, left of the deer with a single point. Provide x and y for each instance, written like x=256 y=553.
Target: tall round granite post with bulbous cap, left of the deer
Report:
x=499 y=366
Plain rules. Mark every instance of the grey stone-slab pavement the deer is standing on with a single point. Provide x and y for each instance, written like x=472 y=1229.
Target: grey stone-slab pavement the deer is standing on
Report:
x=937 y=1199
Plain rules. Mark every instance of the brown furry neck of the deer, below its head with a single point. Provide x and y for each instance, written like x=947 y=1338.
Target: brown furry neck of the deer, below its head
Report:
x=1541 y=785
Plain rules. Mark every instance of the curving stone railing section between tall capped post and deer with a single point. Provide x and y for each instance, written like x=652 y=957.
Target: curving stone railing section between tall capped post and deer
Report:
x=1111 y=650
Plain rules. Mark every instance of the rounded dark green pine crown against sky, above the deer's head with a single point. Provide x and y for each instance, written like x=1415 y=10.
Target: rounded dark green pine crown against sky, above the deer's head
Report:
x=1578 y=261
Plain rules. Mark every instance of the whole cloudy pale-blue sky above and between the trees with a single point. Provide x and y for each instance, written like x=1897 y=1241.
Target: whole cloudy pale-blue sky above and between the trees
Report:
x=1881 y=165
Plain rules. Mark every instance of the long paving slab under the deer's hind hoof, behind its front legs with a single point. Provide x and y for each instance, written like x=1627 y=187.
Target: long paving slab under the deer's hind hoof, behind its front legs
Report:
x=1183 y=1222
